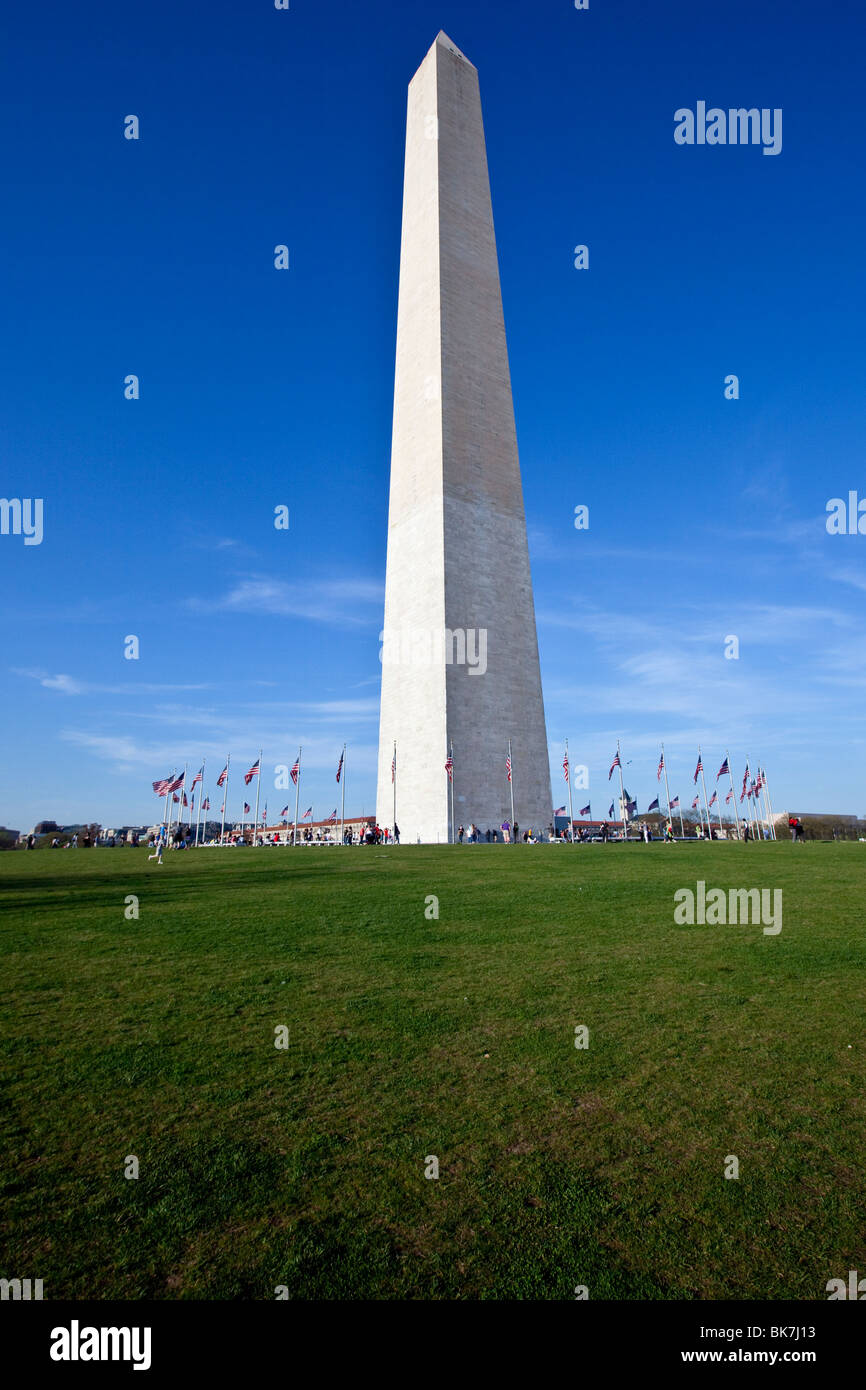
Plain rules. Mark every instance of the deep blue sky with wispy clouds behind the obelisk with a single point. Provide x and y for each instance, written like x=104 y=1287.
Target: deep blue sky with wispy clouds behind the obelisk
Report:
x=259 y=387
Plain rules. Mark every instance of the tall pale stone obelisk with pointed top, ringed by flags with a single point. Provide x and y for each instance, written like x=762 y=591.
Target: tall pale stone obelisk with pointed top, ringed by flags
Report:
x=459 y=648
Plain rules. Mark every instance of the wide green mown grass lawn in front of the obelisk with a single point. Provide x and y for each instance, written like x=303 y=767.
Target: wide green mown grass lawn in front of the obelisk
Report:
x=414 y=1038
